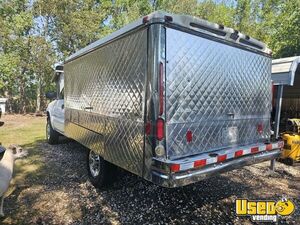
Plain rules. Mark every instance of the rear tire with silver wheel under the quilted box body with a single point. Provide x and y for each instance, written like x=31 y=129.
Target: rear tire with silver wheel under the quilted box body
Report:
x=99 y=170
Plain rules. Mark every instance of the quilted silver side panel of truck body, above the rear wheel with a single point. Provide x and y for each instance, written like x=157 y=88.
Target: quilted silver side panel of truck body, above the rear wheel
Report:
x=104 y=92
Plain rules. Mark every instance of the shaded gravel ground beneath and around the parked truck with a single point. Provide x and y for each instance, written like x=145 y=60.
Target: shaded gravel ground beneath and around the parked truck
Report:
x=60 y=193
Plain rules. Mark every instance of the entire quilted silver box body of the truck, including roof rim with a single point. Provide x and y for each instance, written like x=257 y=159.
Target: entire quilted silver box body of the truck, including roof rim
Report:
x=217 y=87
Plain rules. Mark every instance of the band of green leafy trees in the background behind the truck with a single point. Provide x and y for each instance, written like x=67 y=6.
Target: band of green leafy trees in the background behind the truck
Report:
x=36 y=34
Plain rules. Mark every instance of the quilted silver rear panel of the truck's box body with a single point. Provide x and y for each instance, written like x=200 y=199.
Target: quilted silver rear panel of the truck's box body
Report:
x=213 y=89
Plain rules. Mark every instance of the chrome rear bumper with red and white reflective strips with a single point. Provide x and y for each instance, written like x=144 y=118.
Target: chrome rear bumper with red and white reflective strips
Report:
x=192 y=169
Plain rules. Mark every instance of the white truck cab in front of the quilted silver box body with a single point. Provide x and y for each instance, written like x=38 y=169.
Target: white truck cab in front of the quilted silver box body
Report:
x=55 y=109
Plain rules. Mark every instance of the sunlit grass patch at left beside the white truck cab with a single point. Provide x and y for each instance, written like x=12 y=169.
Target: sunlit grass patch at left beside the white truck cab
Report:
x=25 y=131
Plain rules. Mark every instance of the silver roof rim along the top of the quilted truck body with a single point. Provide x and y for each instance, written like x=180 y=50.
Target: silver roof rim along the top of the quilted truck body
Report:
x=183 y=21
